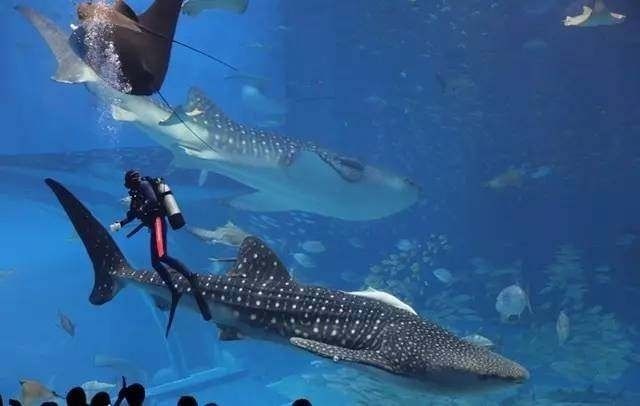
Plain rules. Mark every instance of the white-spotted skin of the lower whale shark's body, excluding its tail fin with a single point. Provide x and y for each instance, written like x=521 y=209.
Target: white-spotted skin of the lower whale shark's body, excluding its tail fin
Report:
x=337 y=325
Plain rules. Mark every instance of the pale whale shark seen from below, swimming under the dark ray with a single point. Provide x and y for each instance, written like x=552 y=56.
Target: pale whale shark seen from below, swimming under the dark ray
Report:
x=287 y=174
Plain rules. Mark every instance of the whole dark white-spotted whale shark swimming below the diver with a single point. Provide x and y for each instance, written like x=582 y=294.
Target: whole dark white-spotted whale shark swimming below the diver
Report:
x=258 y=298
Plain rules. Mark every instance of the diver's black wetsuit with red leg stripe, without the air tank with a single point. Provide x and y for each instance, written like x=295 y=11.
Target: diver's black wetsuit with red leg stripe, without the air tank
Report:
x=146 y=207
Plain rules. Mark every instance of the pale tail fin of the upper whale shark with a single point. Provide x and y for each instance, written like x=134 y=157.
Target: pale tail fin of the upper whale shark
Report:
x=71 y=69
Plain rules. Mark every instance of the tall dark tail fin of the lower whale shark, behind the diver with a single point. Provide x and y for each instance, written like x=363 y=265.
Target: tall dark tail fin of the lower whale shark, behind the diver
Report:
x=105 y=255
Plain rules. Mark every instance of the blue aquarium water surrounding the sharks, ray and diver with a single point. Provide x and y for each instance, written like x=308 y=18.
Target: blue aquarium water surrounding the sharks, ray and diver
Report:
x=448 y=95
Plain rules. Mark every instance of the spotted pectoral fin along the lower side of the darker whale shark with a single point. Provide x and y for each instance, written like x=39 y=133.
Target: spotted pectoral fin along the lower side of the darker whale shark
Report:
x=367 y=357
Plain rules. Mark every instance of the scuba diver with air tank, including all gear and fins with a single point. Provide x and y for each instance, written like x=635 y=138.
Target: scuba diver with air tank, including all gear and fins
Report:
x=151 y=202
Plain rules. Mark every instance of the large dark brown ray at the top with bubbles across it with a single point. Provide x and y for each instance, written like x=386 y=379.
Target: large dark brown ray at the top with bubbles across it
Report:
x=130 y=52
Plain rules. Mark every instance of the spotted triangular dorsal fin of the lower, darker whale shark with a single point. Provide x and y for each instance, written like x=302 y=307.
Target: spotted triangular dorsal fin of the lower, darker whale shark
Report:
x=258 y=263
